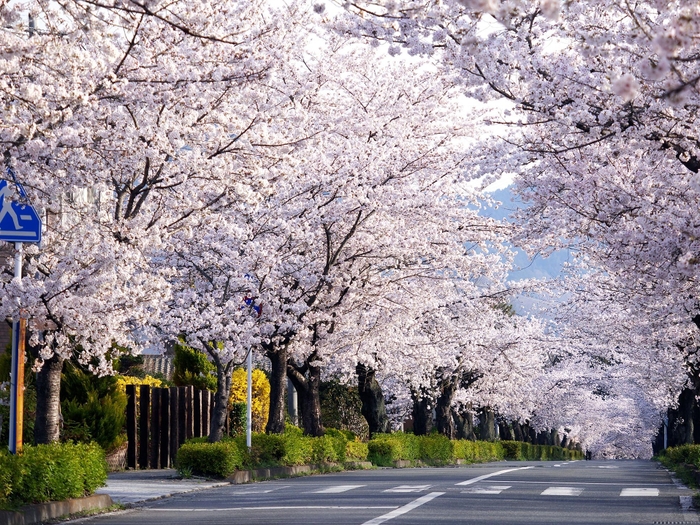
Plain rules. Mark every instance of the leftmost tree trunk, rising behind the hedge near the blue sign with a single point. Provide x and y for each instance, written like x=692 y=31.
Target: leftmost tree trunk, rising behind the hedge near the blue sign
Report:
x=47 y=426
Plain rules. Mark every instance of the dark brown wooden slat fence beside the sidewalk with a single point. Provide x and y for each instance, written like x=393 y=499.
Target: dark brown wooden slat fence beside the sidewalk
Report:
x=159 y=420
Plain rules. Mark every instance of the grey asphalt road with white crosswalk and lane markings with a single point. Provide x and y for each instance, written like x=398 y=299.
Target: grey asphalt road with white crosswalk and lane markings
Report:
x=580 y=492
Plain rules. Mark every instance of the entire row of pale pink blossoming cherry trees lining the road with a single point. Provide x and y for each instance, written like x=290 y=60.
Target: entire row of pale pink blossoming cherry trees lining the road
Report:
x=255 y=177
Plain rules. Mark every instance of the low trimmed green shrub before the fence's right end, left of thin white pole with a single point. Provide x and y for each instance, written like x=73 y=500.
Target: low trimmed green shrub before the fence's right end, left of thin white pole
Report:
x=210 y=459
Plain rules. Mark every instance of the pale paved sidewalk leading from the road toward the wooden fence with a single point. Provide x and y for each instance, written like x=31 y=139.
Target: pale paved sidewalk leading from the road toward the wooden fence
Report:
x=136 y=486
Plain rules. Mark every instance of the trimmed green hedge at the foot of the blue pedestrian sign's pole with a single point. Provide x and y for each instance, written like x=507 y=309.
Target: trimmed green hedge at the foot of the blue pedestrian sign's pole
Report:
x=51 y=473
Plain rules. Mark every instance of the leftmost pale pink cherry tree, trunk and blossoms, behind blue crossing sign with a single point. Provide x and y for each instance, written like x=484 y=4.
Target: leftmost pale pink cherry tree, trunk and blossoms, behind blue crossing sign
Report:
x=150 y=111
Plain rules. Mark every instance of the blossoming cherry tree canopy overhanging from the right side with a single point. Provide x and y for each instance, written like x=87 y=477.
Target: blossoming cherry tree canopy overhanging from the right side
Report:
x=594 y=107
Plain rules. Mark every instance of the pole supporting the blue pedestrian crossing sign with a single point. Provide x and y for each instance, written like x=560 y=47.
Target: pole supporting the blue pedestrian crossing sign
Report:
x=17 y=371
